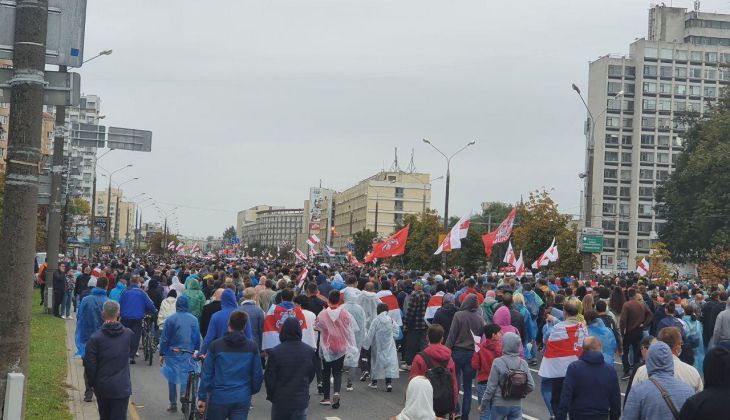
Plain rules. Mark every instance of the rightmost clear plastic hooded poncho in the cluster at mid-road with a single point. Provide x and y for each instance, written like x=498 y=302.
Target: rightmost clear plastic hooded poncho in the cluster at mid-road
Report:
x=381 y=342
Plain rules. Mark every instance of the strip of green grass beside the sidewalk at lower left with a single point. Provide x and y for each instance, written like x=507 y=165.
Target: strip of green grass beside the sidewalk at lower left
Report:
x=46 y=397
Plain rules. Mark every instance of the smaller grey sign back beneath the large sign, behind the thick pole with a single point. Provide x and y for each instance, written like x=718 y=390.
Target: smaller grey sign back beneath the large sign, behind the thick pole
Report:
x=63 y=89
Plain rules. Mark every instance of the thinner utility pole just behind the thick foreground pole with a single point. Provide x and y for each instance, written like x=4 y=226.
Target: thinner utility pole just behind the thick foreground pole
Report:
x=55 y=216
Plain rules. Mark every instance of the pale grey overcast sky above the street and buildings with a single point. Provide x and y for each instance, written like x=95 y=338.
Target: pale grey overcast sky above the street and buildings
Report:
x=253 y=102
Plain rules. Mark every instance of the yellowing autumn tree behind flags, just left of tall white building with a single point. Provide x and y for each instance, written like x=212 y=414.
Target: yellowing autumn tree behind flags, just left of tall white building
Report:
x=538 y=222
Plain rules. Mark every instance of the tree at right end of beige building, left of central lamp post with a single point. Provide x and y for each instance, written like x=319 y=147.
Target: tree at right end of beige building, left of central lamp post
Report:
x=422 y=241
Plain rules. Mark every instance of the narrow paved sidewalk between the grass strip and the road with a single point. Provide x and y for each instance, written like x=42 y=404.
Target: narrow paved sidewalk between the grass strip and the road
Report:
x=80 y=410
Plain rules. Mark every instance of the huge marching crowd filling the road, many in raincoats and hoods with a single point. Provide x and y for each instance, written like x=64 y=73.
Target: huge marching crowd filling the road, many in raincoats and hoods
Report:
x=283 y=325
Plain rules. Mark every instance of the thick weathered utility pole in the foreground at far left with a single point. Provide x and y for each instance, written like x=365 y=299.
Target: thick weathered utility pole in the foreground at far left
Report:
x=20 y=218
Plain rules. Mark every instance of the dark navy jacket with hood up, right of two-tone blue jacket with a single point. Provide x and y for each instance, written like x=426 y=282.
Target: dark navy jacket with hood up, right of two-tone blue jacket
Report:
x=290 y=369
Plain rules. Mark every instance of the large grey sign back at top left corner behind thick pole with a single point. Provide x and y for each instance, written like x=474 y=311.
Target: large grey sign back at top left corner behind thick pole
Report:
x=65 y=37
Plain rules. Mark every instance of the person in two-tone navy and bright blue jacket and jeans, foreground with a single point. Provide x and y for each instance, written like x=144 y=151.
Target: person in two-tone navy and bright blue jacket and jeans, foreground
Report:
x=232 y=373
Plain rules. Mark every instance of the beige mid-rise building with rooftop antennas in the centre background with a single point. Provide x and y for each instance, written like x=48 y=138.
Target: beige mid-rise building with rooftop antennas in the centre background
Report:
x=379 y=204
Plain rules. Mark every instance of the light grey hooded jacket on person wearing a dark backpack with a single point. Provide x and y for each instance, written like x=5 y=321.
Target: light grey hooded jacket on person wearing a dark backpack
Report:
x=510 y=359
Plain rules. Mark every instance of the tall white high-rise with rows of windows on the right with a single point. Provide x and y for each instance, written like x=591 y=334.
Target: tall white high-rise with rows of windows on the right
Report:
x=638 y=135
